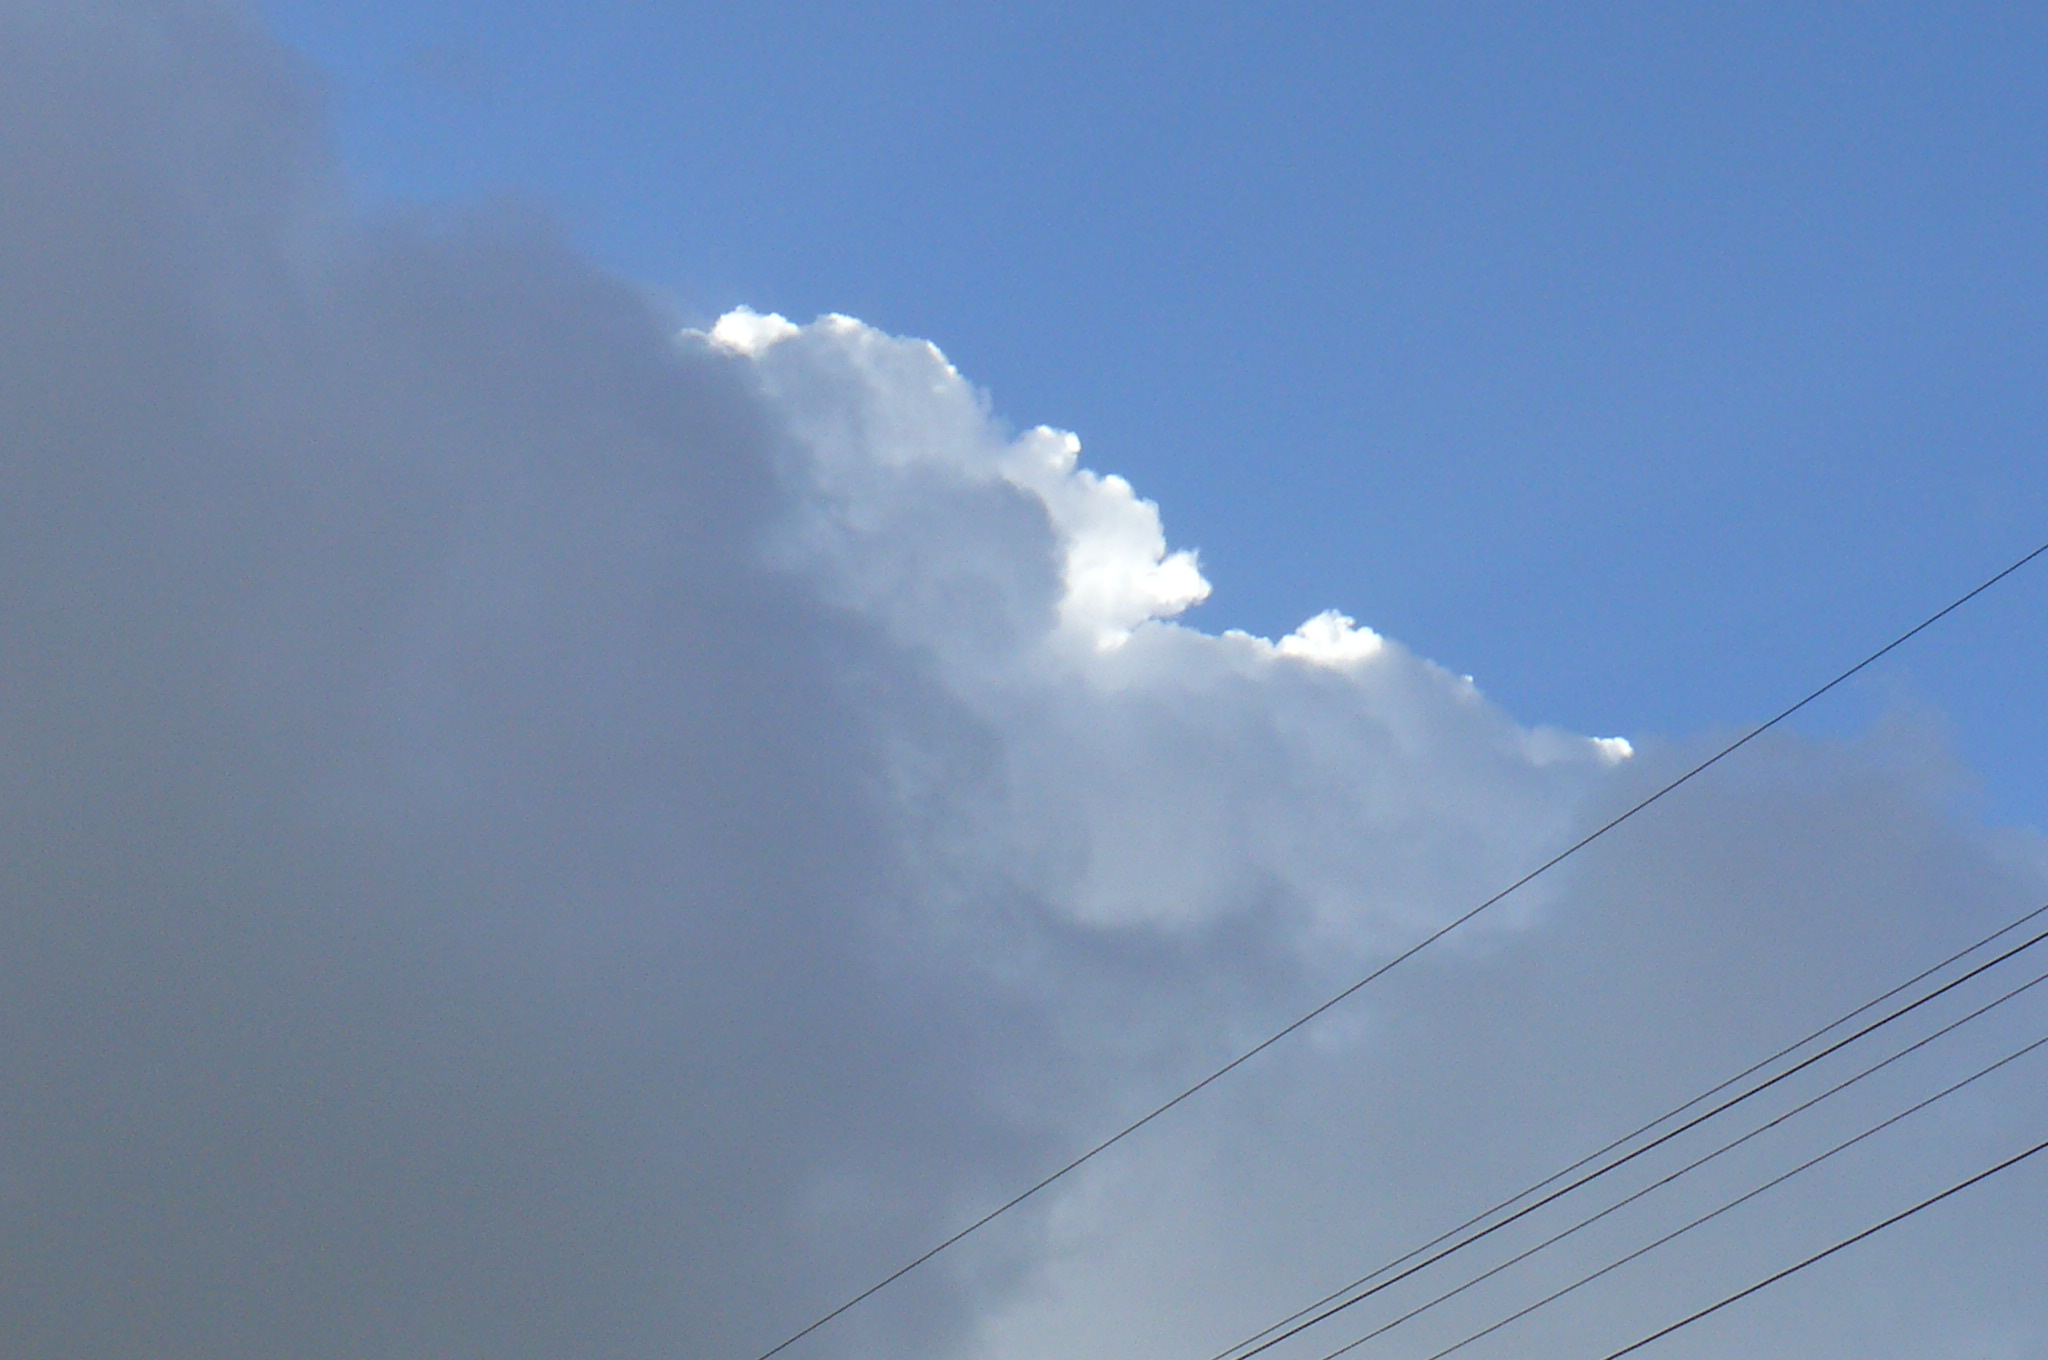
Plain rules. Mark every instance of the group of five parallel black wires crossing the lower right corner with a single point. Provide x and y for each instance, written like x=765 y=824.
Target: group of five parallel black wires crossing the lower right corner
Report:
x=1869 y=1076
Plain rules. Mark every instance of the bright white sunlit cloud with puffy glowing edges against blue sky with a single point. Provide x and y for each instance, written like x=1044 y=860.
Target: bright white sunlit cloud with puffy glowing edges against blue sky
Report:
x=1148 y=773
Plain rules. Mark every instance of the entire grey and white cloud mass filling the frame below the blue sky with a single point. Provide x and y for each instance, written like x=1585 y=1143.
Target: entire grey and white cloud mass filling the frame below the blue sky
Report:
x=529 y=835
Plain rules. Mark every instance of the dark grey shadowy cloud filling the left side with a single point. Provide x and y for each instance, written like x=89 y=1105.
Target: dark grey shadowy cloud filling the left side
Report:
x=435 y=859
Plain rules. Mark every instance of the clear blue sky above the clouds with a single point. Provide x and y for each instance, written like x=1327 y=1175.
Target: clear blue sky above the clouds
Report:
x=1644 y=362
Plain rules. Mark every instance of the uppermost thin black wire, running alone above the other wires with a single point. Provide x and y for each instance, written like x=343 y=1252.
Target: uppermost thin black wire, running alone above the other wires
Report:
x=1400 y=960
